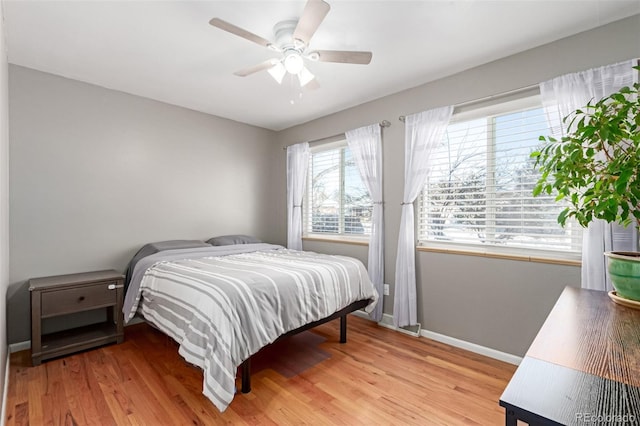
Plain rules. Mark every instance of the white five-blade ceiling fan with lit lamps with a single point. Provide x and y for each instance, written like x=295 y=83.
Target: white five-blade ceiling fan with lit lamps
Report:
x=292 y=41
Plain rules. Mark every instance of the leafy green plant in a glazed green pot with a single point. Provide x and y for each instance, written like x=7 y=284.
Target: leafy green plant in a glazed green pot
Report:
x=596 y=168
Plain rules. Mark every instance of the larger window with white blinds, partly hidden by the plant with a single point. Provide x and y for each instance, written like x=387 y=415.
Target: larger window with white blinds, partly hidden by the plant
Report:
x=479 y=190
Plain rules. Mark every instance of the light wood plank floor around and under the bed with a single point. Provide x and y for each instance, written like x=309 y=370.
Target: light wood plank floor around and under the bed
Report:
x=378 y=377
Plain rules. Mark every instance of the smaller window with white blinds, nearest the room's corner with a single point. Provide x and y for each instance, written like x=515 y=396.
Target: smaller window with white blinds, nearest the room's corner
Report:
x=336 y=202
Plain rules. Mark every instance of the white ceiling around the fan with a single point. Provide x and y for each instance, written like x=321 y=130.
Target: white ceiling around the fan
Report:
x=166 y=50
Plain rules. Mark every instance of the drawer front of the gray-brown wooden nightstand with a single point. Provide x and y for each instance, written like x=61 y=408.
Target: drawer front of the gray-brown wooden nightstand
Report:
x=78 y=299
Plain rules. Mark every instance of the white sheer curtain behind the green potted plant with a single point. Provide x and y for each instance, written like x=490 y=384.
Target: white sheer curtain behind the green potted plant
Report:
x=561 y=96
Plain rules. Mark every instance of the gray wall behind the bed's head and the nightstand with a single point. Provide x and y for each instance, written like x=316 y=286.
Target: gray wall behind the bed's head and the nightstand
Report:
x=96 y=173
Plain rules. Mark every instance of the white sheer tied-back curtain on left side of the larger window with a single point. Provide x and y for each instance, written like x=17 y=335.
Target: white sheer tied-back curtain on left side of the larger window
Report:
x=423 y=131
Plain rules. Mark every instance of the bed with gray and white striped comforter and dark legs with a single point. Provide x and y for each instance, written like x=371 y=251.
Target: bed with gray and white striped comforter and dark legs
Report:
x=223 y=303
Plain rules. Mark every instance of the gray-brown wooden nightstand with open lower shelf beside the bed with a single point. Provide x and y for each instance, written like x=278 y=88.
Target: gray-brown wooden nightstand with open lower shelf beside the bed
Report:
x=67 y=294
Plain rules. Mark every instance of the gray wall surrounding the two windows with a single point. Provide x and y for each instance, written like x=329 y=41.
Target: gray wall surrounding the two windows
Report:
x=496 y=303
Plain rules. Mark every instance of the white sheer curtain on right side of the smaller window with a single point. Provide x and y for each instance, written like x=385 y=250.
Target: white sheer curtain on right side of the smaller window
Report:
x=365 y=145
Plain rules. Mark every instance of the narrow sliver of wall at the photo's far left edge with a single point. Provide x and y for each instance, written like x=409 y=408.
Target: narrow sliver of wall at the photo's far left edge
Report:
x=4 y=199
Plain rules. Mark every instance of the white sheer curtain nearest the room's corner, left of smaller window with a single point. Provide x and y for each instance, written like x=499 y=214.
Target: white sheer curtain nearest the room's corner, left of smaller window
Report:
x=297 y=165
